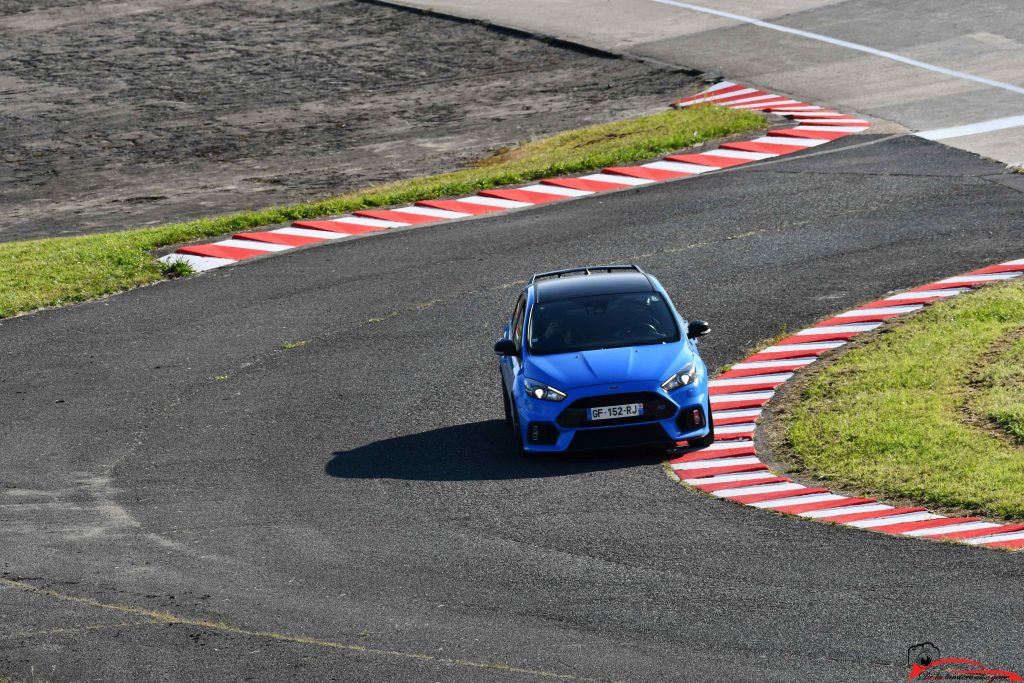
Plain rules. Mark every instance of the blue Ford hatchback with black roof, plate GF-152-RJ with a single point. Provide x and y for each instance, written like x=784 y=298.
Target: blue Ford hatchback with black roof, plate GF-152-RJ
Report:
x=599 y=358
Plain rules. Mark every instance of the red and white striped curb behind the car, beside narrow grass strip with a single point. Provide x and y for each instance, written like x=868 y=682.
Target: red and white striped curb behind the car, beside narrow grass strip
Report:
x=818 y=126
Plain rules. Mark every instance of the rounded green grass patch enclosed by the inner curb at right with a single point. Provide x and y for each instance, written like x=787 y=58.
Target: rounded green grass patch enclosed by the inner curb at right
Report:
x=929 y=411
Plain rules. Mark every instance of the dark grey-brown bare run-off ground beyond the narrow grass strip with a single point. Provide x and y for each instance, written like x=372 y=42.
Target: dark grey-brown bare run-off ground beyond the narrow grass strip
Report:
x=116 y=115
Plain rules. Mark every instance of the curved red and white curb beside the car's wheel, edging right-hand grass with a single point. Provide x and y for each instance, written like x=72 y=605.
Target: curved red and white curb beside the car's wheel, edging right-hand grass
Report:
x=731 y=468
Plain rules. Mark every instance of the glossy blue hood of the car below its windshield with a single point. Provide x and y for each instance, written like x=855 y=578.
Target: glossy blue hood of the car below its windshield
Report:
x=630 y=364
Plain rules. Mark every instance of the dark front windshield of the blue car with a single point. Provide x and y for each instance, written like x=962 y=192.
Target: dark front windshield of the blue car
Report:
x=606 y=321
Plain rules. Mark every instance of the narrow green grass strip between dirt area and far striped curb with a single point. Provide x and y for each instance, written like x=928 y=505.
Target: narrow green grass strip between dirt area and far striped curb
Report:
x=53 y=272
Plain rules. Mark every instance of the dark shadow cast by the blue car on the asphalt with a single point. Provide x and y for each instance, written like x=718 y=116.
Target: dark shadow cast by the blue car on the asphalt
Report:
x=478 y=451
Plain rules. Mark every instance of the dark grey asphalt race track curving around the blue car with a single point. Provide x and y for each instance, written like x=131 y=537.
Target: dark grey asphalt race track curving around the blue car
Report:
x=221 y=507
